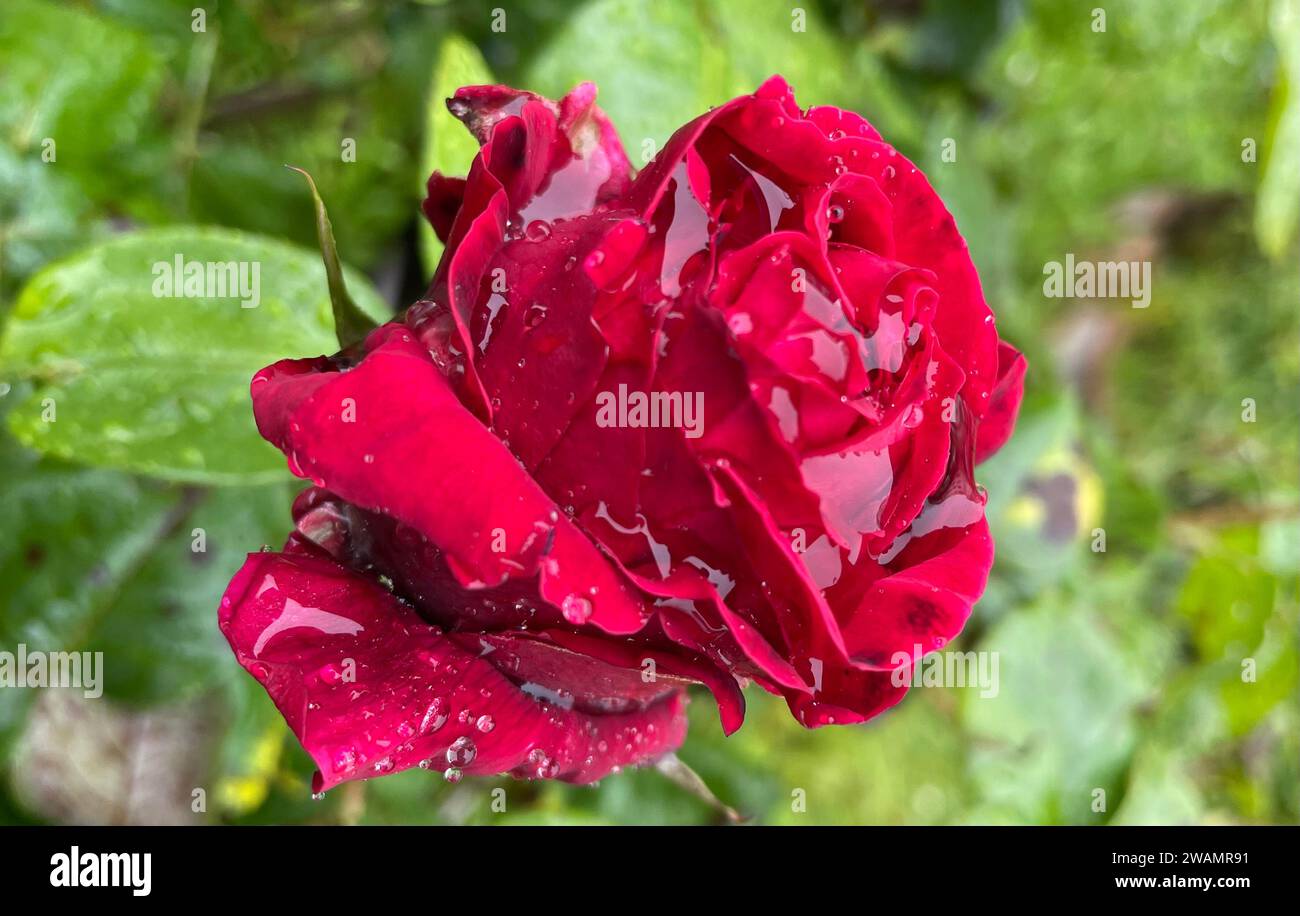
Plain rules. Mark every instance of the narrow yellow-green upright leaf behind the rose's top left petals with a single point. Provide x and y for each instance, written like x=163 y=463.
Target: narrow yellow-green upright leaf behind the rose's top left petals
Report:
x=449 y=147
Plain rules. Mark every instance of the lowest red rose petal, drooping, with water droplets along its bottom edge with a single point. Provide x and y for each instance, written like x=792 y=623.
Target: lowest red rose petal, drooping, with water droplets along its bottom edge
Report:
x=370 y=688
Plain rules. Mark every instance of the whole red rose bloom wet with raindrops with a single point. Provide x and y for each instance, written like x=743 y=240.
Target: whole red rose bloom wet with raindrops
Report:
x=517 y=557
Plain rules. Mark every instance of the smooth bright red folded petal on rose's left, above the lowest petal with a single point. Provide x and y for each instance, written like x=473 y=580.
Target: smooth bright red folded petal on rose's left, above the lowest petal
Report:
x=424 y=459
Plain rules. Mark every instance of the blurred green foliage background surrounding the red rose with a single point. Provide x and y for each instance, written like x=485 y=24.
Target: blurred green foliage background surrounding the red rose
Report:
x=1145 y=606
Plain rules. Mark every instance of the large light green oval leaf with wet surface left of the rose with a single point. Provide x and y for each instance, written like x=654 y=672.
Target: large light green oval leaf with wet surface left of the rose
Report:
x=161 y=385
